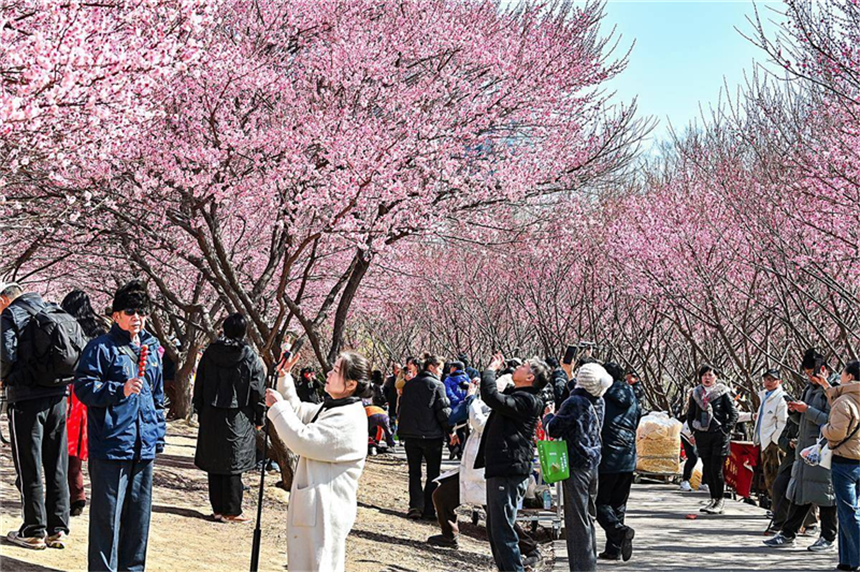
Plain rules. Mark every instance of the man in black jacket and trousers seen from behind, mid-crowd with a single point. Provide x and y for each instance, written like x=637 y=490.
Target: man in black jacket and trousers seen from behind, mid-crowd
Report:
x=423 y=424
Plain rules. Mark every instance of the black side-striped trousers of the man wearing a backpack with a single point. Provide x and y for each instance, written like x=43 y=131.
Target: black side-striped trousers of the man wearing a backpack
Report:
x=39 y=444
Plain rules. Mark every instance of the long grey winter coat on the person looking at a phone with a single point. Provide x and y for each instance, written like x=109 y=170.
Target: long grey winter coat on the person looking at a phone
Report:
x=810 y=485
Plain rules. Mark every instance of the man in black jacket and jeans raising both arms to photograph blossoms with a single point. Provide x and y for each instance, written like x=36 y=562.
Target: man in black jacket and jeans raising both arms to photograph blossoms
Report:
x=506 y=451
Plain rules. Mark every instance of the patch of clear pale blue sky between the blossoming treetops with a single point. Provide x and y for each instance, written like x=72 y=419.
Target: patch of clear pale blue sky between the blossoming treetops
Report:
x=684 y=53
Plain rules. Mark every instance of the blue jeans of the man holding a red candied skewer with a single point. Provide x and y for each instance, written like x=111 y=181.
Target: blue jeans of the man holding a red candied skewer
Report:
x=120 y=509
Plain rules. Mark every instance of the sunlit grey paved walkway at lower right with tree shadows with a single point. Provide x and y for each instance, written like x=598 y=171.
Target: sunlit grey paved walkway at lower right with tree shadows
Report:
x=667 y=541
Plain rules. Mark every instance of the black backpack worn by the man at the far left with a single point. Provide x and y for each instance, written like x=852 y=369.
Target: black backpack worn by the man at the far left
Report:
x=50 y=346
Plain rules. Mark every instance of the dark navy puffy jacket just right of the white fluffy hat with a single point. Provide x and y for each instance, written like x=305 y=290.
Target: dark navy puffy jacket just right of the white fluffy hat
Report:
x=619 y=429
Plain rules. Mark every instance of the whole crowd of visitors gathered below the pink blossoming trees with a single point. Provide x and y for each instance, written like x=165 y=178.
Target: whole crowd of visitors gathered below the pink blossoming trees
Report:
x=83 y=389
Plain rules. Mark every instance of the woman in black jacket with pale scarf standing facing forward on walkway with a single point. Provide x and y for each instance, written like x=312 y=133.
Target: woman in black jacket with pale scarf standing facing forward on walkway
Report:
x=711 y=414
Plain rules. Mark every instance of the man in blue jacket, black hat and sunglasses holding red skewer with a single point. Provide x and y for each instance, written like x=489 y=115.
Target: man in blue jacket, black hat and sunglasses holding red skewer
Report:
x=126 y=430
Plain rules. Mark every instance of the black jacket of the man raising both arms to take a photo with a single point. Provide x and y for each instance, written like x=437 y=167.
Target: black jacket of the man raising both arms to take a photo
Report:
x=507 y=444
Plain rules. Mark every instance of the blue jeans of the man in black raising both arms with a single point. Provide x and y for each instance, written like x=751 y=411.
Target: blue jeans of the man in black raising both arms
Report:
x=503 y=497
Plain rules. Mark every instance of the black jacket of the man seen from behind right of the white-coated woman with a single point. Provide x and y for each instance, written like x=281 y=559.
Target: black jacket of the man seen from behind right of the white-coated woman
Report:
x=424 y=409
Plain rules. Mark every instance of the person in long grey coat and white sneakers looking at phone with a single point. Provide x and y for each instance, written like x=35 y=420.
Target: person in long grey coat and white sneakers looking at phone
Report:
x=809 y=485
